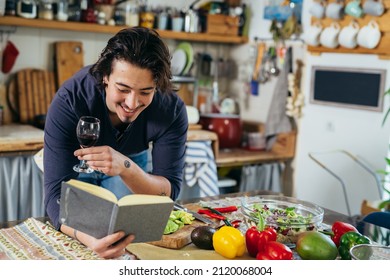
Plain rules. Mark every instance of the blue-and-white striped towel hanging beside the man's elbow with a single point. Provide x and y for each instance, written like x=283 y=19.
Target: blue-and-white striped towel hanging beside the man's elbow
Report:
x=200 y=168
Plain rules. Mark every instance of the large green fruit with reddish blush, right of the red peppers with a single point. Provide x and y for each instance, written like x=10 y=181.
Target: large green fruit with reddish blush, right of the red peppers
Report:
x=314 y=245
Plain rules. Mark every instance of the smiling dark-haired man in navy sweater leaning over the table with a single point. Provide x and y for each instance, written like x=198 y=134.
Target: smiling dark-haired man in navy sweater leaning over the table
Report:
x=129 y=90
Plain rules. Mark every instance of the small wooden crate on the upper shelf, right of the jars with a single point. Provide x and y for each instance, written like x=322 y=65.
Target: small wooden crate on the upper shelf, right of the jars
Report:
x=222 y=25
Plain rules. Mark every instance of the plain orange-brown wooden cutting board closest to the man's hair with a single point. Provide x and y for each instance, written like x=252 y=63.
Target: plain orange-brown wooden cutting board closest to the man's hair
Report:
x=69 y=56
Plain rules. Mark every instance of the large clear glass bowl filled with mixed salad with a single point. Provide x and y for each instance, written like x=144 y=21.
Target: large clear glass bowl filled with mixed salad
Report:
x=287 y=215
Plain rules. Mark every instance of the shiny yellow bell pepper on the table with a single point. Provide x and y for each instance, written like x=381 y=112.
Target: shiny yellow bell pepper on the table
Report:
x=229 y=242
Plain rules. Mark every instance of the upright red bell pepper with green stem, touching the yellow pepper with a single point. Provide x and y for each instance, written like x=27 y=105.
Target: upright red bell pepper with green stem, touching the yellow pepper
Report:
x=257 y=236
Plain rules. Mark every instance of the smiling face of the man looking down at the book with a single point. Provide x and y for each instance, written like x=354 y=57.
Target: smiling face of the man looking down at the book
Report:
x=129 y=90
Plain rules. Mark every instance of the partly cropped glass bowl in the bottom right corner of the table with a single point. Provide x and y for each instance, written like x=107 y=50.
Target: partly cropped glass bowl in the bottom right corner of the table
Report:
x=370 y=252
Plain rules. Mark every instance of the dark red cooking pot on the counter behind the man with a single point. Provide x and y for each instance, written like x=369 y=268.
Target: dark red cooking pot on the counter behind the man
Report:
x=228 y=127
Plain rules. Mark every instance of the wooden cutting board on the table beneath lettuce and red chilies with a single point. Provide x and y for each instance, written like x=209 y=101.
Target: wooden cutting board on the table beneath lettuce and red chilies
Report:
x=182 y=237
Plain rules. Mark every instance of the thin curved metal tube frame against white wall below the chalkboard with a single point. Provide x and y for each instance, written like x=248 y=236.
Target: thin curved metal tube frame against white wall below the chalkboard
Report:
x=360 y=161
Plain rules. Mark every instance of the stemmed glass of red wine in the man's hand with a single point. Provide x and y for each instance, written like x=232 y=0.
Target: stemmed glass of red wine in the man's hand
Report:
x=88 y=129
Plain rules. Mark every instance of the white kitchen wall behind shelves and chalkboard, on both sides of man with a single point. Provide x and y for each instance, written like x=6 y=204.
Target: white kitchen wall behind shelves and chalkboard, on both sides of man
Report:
x=321 y=128
